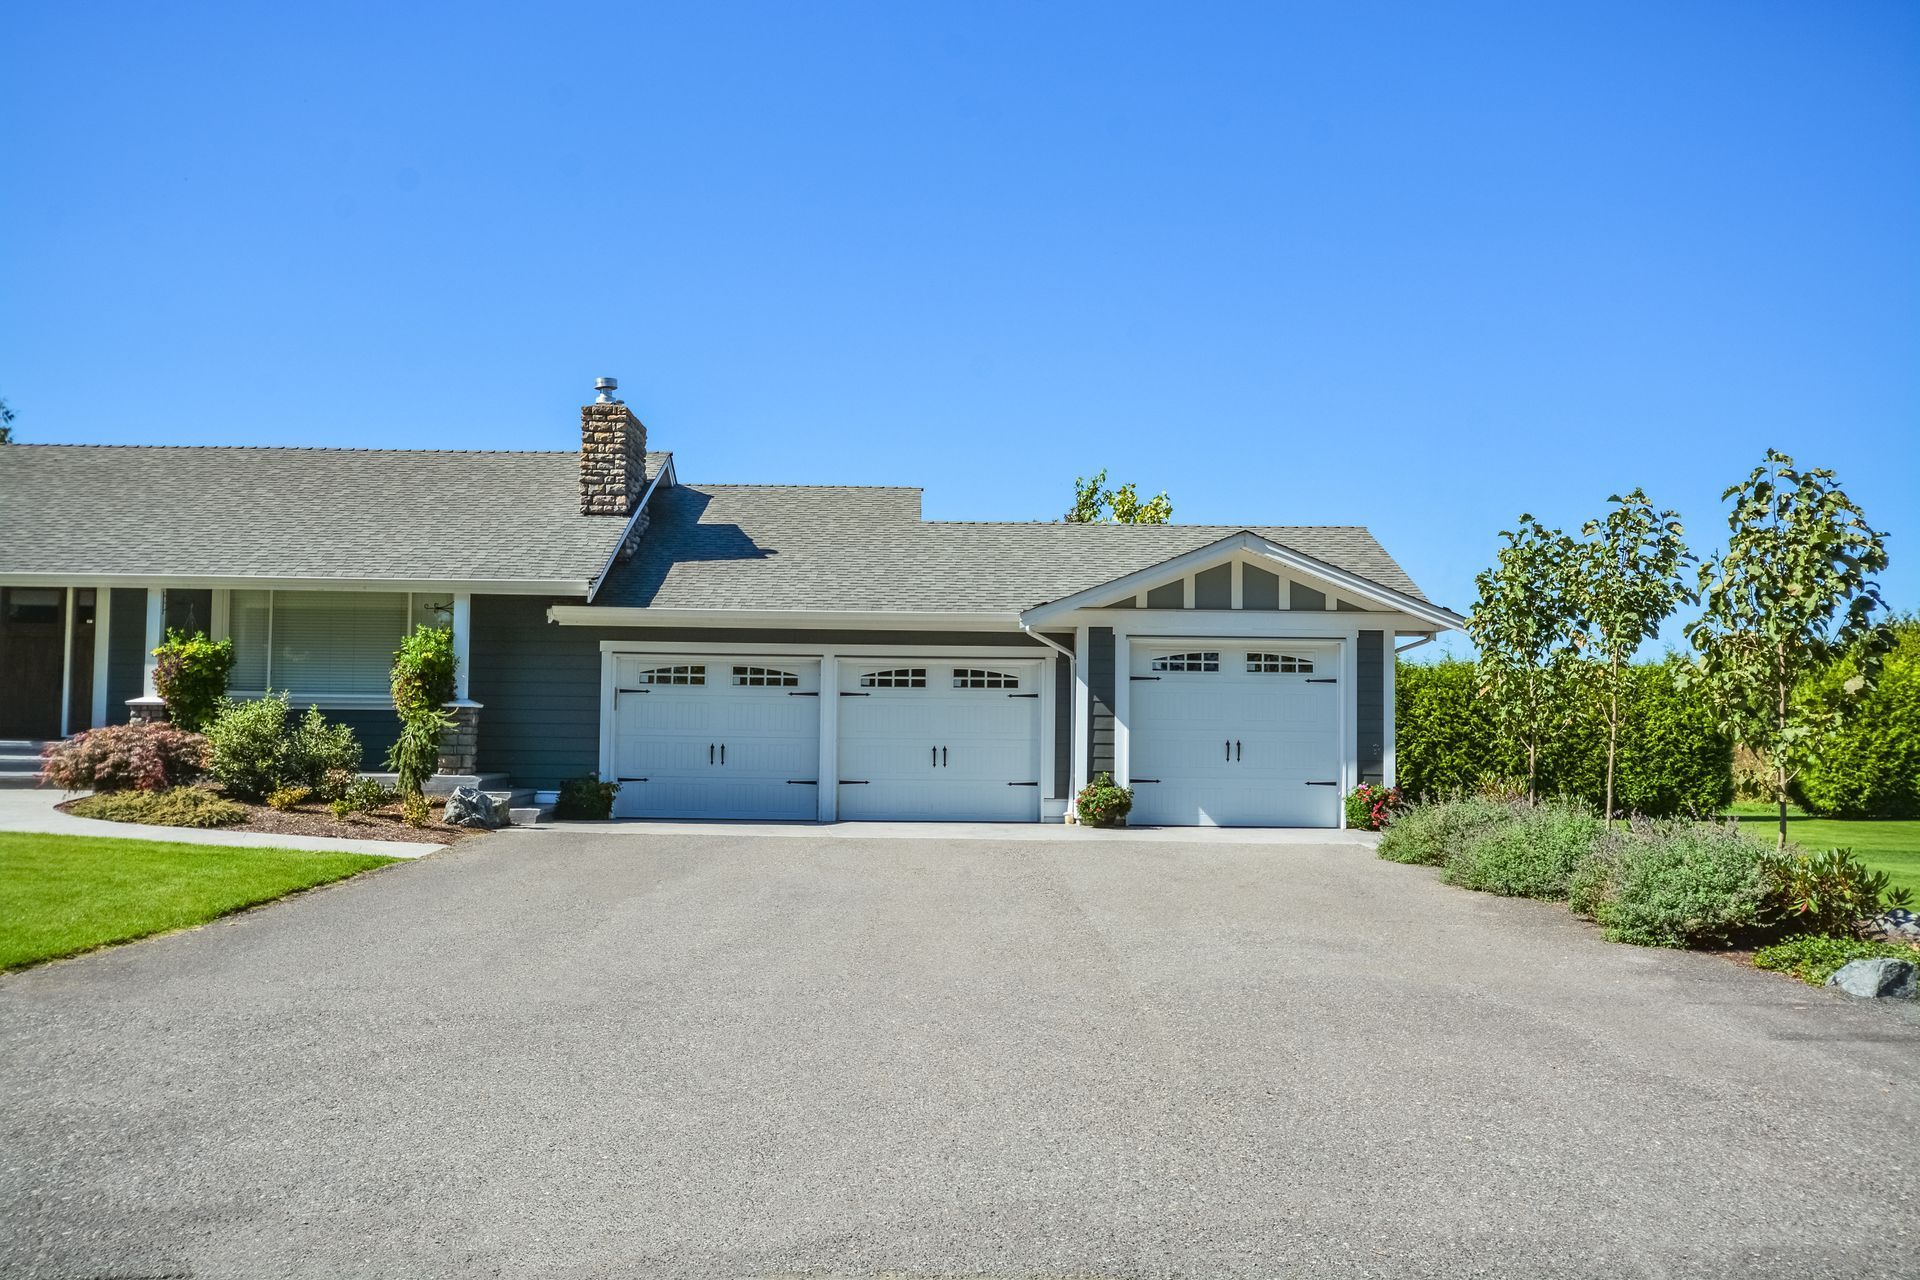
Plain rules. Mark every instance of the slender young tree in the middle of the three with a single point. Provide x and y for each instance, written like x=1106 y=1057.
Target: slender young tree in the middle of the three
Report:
x=1627 y=582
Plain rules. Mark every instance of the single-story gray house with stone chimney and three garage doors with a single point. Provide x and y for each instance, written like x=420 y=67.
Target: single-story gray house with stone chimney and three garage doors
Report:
x=721 y=650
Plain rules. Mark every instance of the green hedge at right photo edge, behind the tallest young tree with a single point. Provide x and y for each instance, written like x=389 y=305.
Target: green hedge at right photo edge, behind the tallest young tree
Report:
x=1871 y=765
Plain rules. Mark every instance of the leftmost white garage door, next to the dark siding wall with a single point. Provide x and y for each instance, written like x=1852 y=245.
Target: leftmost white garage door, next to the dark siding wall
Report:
x=717 y=738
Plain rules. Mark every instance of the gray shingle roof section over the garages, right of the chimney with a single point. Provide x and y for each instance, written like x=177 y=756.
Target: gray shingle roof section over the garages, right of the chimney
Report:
x=867 y=550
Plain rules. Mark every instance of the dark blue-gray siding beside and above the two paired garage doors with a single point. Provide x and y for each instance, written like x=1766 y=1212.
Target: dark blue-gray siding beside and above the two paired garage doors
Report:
x=539 y=684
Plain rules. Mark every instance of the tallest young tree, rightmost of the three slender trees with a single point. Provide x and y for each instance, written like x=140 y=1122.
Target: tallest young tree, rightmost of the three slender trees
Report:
x=1790 y=596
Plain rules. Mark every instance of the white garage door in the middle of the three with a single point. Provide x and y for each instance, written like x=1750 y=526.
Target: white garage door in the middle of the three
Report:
x=930 y=742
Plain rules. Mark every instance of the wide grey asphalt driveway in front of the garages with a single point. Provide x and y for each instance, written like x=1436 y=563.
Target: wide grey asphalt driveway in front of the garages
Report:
x=617 y=1055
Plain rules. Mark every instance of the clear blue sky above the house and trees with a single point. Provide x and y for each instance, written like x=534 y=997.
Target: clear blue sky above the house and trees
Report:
x=1416 y=266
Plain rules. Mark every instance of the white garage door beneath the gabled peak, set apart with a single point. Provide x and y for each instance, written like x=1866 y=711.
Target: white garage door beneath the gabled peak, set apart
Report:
x=1236 y=734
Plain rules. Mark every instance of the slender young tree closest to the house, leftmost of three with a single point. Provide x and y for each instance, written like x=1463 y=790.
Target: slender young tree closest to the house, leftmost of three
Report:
x=1525 y=628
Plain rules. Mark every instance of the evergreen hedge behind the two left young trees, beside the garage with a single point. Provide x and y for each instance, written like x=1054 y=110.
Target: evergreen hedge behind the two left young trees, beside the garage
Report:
x=1673 y=761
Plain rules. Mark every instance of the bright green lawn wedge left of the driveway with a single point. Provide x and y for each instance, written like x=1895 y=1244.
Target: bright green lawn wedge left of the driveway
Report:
x=62 y=895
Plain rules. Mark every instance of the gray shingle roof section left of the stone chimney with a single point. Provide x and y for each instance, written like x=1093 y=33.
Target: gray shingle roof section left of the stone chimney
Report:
x=299 y=513
